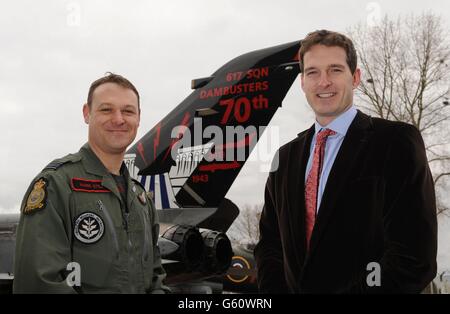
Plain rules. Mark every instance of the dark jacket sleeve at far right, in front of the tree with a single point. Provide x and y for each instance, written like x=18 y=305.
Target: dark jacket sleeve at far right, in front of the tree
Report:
x=409 y=218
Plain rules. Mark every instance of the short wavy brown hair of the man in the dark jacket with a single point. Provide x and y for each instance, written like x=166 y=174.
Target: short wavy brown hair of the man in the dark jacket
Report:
x=329 y=39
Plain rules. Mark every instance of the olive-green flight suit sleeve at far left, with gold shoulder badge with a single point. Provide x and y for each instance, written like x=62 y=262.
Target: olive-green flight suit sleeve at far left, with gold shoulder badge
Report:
x=42 y=245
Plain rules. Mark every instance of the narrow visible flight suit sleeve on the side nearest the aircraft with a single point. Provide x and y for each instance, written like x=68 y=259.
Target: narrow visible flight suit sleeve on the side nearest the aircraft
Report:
x=159 y=274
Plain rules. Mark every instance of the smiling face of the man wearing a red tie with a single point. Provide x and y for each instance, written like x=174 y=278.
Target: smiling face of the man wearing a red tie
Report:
x=328 y=82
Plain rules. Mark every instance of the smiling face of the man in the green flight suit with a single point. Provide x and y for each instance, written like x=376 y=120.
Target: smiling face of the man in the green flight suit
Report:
x=113 y=119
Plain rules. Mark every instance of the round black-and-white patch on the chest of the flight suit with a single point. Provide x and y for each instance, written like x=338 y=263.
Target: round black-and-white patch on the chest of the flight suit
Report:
x=89 y=228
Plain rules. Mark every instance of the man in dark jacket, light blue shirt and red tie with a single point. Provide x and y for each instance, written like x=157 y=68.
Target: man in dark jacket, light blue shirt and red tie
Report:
x=350 y=207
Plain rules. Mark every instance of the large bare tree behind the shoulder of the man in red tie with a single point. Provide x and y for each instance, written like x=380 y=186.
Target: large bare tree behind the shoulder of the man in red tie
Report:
x=405 y=77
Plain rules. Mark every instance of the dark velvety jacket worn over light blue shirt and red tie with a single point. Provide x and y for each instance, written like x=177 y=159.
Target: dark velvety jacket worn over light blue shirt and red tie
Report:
x=378 y=206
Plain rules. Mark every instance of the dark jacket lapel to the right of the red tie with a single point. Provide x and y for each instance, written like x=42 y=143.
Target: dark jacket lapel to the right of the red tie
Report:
x=352 y=146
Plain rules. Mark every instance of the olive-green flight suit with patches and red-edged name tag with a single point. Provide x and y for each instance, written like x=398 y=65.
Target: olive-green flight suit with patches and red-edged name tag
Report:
x=73 y=212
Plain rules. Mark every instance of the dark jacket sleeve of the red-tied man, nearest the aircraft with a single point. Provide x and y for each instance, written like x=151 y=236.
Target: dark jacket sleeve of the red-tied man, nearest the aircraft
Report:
x=268 y=251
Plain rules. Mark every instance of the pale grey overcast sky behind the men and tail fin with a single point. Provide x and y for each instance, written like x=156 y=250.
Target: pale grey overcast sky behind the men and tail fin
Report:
x=52 y=50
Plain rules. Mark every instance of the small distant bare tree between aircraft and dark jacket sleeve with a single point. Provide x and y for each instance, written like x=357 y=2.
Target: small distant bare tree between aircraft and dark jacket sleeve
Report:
x=245 y=229
